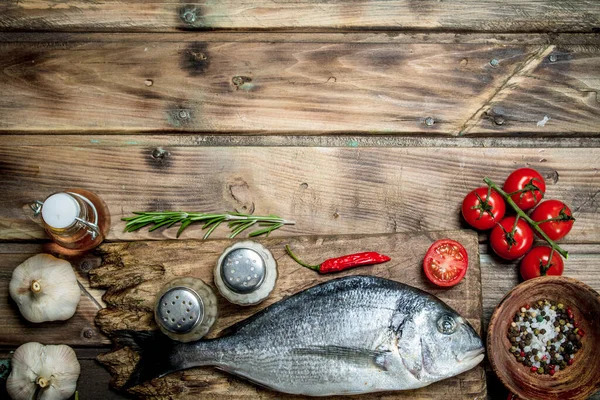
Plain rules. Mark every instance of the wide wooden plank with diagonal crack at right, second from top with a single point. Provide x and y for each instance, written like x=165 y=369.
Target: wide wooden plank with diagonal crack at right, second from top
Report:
x=158 y=84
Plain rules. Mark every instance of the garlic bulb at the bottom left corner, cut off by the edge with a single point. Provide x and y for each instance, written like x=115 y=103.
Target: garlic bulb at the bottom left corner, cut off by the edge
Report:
x=50 y=370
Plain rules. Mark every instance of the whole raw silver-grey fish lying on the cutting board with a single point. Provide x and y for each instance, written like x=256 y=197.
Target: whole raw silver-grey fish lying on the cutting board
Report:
x=351 y=335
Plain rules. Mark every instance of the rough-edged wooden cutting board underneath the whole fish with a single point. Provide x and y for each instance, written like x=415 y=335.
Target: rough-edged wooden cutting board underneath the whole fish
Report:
x=133 y=273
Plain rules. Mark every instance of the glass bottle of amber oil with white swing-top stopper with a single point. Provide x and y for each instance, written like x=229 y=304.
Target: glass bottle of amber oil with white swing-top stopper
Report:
x=75 y=219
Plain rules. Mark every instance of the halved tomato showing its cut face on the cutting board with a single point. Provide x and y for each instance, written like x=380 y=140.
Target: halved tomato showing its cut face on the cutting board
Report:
x=446 y=262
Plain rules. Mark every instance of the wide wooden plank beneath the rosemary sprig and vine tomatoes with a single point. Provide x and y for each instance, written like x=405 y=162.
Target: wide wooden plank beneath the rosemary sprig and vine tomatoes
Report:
x=326 y=190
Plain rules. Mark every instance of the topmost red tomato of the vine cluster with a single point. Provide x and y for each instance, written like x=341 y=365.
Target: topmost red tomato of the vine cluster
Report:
x=526 y=186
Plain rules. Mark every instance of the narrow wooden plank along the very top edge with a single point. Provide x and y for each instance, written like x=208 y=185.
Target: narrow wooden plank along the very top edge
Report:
x=157 y=15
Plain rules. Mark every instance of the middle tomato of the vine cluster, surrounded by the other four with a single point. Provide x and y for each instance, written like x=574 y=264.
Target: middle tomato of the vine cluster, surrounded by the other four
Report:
x=511 y=241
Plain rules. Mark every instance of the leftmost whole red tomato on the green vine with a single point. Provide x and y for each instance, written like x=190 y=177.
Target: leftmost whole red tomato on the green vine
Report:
x=482 y=212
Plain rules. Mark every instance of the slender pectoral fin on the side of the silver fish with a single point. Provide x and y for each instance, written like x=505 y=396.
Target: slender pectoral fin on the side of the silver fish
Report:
x=377 y=358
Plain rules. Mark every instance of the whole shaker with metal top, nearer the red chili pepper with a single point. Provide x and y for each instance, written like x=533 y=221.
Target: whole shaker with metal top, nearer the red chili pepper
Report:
x=246 y=273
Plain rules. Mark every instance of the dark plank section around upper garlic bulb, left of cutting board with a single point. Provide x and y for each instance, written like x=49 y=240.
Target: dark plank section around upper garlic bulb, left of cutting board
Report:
x=78 y=330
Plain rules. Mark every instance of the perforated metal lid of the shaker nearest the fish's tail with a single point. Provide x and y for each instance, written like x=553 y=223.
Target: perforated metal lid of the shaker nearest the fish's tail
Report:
x=180 y=309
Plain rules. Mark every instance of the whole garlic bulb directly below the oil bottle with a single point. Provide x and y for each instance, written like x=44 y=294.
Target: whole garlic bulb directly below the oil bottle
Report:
x=45 y=289
